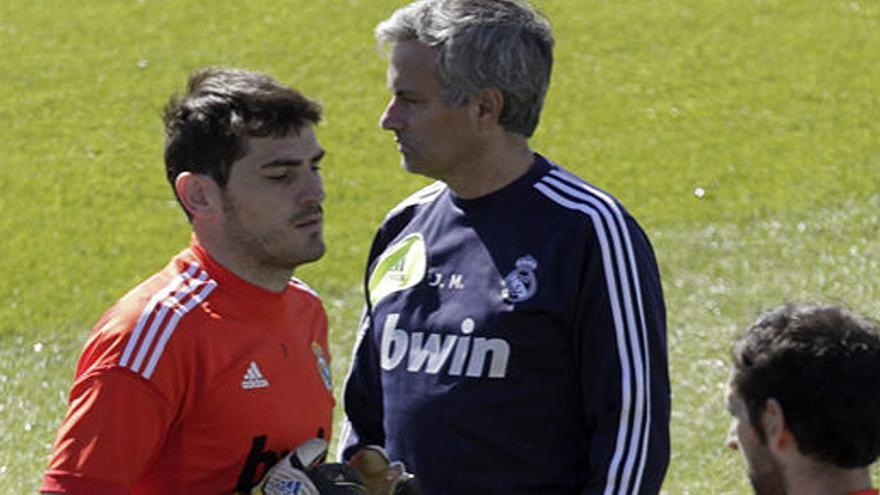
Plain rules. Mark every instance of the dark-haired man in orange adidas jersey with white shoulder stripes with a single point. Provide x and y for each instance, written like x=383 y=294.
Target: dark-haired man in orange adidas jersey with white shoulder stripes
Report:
x=204 y=376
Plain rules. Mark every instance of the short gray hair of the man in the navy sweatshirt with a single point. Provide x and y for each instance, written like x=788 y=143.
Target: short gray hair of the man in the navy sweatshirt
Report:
x=481 y=44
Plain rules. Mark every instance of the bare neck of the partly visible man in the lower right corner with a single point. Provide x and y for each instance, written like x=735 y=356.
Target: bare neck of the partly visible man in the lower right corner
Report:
x=820 y=479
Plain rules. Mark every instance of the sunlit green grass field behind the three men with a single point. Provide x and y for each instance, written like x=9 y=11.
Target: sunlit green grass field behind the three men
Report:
x=769 y=107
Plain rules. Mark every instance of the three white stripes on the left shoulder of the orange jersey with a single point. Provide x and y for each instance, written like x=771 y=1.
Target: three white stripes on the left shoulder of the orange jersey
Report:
x=161 y=316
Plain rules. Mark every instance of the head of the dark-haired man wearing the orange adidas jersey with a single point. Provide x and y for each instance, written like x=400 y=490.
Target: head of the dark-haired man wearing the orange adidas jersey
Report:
x=242 y=157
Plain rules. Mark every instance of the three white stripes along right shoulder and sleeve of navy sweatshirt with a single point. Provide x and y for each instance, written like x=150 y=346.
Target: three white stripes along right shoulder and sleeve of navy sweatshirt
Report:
x=624 y=288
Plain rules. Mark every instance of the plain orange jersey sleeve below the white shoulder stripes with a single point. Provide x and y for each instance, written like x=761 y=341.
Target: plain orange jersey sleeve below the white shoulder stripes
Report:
x=114 y=428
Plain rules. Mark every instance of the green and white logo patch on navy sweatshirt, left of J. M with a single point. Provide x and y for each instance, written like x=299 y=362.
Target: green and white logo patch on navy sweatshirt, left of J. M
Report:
x=401 y=266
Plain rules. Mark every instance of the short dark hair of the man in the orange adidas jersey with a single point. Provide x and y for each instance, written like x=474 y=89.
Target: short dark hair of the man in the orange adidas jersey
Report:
x=206 y=129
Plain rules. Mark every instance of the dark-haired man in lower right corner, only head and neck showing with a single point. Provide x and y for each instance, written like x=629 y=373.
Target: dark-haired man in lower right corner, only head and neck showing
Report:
x=804 y=394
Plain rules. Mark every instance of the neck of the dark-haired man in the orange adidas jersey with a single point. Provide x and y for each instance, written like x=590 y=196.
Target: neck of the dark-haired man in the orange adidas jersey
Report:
x=271 y=278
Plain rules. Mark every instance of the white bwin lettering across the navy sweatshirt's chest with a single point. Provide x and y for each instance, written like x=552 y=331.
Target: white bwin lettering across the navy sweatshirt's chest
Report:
x=432 y=351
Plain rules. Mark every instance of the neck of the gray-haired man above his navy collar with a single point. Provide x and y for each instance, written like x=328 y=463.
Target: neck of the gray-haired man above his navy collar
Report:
x=500 y=163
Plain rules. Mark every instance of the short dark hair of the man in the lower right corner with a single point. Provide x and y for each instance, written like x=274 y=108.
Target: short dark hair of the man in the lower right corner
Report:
x=822 y=364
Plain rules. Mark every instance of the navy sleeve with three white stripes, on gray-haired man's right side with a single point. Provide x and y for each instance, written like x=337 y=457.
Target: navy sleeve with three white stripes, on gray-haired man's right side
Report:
x=623 y=362
